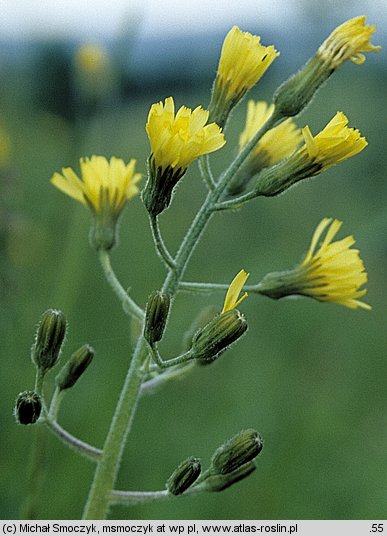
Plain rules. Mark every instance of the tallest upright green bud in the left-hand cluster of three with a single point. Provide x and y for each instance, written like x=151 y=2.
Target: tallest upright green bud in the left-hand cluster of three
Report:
x=49 y=338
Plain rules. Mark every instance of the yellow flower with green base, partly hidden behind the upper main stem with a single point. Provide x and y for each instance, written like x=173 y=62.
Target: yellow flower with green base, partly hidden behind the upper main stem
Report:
x=275 y=145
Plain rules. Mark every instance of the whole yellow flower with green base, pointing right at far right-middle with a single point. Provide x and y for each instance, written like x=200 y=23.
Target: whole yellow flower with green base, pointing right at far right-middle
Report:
x=330 y=271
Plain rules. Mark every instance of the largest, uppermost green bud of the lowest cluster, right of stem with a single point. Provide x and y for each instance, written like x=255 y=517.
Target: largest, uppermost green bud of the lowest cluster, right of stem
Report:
x=238 y=451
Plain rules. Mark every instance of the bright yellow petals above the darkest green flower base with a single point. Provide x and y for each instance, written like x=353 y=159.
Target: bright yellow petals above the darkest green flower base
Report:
x=177 y=140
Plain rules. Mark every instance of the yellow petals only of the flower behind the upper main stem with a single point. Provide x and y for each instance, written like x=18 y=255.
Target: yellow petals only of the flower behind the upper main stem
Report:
x=277 y=143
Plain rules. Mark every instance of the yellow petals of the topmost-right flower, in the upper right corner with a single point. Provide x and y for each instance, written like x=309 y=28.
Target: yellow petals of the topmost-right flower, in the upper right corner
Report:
x=347 y=42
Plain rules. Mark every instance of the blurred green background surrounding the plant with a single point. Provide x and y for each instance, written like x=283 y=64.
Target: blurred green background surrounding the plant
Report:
x=310 y=377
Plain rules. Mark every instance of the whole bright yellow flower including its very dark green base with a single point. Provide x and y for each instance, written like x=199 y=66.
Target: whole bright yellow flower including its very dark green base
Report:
x=176 y=140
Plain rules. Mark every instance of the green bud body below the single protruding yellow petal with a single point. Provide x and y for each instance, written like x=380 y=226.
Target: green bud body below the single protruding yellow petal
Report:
x=218 y=334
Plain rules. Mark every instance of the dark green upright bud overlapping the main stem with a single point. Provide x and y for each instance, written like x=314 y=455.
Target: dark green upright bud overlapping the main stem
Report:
x=156 y=315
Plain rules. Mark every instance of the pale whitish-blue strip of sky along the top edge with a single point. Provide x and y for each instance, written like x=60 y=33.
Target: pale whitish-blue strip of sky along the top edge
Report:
x=90 y=19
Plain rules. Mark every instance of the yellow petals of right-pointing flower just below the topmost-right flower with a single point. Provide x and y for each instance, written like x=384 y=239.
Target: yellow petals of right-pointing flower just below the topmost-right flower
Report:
x=335 y=143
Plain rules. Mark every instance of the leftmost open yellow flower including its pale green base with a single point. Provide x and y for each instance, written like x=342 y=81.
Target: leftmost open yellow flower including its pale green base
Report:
x=104 y=187
